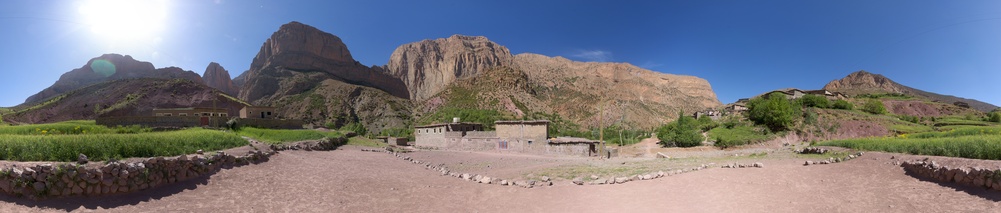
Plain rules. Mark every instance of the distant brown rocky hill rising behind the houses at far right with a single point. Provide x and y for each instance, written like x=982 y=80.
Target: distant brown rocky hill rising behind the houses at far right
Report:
x=862 y=82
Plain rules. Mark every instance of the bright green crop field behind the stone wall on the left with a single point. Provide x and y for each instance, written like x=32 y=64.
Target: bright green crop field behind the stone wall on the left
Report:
x=66 y=140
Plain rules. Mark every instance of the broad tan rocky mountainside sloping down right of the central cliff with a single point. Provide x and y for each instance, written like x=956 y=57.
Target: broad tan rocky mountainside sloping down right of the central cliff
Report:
x=644 y=98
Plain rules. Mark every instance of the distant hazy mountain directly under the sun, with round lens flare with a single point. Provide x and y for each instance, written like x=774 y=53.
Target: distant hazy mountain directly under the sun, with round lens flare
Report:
x=110 y=67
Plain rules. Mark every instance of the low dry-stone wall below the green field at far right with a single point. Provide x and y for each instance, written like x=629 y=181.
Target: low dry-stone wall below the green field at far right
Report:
x=975 y=177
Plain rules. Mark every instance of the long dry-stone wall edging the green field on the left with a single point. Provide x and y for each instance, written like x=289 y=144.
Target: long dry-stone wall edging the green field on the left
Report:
x=54 y=180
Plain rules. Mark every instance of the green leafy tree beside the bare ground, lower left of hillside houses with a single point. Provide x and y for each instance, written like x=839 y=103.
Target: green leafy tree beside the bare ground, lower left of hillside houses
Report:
x=683 y=132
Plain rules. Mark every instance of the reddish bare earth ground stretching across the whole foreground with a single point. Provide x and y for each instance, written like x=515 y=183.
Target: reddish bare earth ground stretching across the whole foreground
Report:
x=350 y=180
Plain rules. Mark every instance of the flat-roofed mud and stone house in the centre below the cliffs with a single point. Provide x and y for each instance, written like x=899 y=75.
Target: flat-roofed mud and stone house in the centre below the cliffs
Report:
x=511 y=136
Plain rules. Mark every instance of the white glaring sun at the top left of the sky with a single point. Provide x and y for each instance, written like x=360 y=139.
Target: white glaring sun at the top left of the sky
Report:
x=126 y=20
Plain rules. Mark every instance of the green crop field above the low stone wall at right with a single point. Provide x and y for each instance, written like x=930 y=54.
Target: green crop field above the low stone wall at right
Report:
x=965 y=142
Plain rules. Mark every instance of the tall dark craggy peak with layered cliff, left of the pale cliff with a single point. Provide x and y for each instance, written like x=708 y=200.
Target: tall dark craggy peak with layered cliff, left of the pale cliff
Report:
x=310 y=74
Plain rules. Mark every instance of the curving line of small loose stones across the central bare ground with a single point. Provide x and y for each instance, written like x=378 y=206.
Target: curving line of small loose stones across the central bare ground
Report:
x=545 y=180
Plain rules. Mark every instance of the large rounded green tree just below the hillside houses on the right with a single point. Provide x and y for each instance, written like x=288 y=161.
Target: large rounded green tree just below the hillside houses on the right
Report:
x=775 y=112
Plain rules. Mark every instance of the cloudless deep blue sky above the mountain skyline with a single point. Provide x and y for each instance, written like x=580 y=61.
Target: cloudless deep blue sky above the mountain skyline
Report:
x=743 y=48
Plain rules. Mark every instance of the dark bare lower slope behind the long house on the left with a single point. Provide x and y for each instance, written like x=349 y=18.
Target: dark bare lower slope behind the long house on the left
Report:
x=124 y=97
